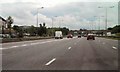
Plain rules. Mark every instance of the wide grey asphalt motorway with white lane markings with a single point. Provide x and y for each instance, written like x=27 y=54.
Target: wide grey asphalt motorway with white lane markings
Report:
x=61 y=54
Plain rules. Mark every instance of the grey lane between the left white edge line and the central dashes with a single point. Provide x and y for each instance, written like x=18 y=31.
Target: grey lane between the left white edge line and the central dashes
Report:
x=34 y=57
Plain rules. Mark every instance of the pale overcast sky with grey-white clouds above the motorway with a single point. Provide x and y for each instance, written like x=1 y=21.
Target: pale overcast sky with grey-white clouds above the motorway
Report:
x=73 y=14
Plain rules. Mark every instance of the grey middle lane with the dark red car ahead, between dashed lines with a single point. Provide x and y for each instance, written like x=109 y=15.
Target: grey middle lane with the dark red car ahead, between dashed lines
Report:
x=86 y=55
